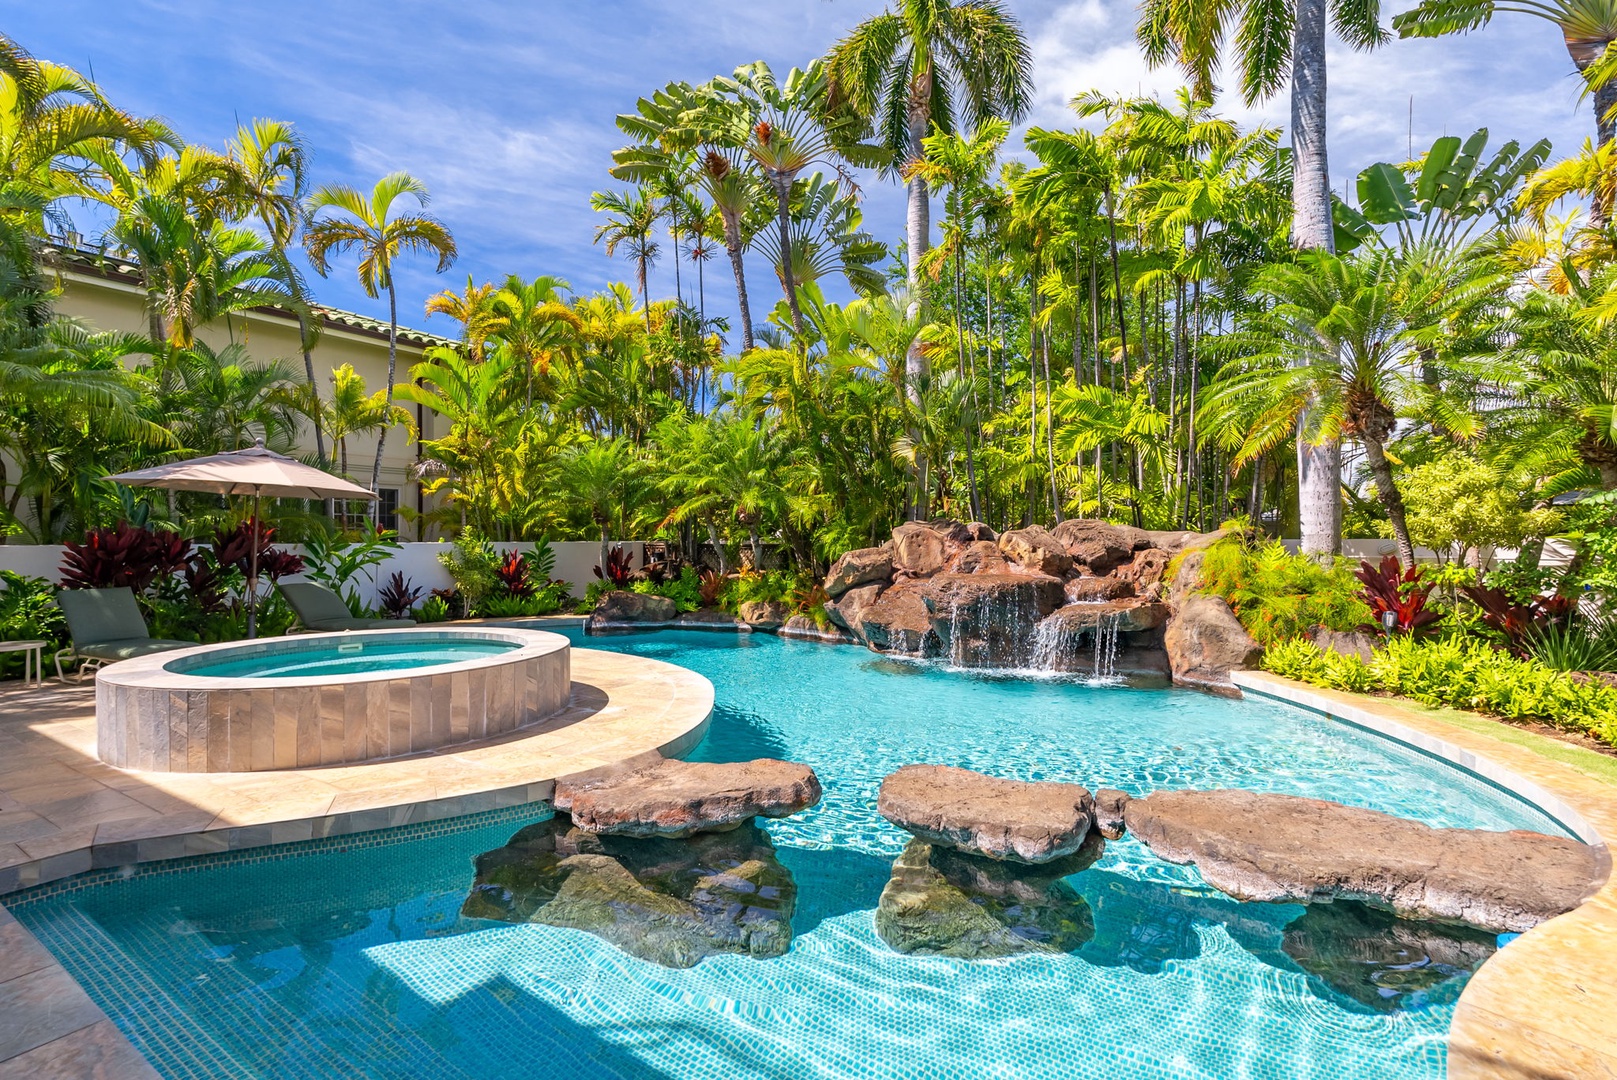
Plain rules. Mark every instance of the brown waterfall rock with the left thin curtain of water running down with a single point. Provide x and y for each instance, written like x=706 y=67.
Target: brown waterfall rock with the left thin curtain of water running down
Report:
x=987 y=620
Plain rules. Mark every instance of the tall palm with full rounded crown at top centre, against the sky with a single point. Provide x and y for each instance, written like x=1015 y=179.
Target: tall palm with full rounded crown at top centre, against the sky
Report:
x=932 y=65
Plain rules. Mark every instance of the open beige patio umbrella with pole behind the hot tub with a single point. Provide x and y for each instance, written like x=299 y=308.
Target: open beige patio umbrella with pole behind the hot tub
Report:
x=255 y=471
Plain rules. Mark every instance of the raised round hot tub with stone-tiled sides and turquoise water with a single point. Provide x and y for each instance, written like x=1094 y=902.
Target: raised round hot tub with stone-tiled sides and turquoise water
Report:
x=326 y=699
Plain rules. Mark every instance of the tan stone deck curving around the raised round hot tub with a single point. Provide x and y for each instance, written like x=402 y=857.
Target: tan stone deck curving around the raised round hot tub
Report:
x=64 y=811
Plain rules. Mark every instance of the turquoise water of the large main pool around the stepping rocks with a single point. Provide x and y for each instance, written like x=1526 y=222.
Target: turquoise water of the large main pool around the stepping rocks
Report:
x=352 y=958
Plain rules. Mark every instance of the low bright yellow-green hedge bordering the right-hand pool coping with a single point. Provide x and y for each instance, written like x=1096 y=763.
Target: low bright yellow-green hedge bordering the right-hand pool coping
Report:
x=1461 y=673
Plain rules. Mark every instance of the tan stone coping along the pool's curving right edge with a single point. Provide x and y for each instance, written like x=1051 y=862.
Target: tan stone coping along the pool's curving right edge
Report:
x=1543 y=1008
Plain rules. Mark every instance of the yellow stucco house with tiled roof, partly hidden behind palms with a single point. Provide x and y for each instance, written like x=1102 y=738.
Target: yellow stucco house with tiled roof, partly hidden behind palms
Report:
x=106 y=293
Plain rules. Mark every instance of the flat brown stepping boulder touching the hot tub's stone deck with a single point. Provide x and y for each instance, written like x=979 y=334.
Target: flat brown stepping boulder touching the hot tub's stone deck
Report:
x=672 y=798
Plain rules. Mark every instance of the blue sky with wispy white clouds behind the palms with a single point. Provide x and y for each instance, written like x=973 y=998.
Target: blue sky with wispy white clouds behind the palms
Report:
x=507 y=109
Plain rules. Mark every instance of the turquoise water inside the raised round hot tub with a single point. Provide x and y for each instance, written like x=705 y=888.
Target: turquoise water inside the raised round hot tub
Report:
x=329 y=657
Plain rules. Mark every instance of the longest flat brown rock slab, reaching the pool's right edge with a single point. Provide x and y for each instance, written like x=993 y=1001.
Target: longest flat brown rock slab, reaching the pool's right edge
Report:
x=1304 y=851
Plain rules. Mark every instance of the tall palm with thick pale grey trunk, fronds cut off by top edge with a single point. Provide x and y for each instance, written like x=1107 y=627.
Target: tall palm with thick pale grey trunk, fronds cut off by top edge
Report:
x=1278 y=43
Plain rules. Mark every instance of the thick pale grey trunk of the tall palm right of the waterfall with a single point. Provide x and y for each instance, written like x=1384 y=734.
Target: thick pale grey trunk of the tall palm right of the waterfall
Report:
x=1319 y=466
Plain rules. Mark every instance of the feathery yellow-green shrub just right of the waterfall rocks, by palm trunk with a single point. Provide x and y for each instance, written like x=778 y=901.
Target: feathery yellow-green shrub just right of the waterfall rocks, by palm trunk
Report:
x=1278 y=596
